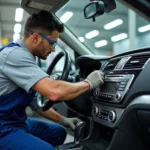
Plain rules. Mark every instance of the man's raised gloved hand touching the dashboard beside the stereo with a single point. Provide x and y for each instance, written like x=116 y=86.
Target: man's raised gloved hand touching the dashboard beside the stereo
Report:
x=95 y=79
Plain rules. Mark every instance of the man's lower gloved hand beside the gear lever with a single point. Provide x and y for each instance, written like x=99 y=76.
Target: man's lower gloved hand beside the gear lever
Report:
x=69 y=122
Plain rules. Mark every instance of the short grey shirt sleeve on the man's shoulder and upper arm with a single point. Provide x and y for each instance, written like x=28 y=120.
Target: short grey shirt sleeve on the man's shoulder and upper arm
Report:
x=21 y=68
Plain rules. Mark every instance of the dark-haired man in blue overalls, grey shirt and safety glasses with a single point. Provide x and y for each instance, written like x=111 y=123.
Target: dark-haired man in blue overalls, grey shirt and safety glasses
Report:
x=20 y=78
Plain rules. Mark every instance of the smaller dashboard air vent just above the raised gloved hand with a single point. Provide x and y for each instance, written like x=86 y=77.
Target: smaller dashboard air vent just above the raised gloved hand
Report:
x=111 y=65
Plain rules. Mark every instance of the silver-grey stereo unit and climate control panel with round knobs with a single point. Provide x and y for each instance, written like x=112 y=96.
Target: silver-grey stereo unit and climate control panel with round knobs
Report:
x=113 y=91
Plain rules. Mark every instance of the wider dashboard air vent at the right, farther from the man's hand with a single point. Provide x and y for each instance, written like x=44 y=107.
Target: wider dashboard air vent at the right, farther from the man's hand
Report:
x=137 y=62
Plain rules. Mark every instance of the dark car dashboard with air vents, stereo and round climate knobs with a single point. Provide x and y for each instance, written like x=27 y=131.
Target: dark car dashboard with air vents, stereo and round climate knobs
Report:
x=126 y=84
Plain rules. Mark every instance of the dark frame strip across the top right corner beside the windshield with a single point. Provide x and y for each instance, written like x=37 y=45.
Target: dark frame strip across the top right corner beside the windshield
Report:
x=142 y=7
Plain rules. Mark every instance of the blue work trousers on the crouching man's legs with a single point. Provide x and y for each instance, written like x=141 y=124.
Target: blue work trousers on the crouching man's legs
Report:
x=39 y=135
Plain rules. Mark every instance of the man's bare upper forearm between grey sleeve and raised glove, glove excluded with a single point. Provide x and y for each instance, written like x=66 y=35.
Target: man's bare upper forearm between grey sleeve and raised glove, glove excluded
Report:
x=60 y=90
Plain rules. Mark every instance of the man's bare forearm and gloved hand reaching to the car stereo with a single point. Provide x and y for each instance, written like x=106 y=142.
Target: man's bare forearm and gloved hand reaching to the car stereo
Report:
x=60 y=90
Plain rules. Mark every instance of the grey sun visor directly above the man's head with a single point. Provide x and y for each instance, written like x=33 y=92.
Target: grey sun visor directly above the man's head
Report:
x=33 y=6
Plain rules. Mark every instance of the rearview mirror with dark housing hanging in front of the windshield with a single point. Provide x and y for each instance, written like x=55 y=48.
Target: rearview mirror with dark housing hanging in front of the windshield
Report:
x=94 y=9
